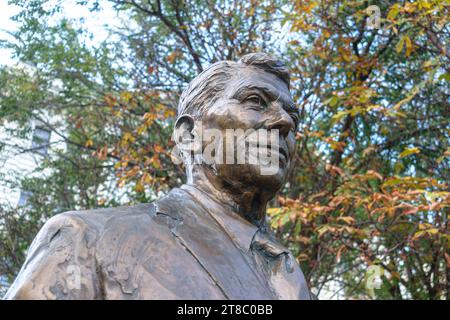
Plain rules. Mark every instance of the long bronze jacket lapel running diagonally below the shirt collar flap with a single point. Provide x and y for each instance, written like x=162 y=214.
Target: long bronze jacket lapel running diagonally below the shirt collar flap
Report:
x=213 y=249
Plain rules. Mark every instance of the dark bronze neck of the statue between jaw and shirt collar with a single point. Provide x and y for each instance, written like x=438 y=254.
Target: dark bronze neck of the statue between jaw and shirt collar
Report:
x=250 y=203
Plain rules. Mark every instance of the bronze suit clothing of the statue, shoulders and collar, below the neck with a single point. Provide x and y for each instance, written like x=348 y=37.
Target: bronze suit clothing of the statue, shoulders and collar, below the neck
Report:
x=183 y=246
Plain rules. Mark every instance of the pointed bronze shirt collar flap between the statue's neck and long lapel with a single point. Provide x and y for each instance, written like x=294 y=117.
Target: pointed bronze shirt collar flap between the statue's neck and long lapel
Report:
x=238 y=229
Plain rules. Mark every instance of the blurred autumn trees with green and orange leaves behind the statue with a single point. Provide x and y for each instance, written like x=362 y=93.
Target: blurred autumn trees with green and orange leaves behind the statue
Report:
x=88 y=95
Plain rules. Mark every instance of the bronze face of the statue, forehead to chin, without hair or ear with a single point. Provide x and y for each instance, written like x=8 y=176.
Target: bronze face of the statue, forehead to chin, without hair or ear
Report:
x=255 y=100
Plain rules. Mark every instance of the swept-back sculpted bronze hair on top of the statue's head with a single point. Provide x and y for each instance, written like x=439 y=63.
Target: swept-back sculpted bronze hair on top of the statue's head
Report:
x=205 y=89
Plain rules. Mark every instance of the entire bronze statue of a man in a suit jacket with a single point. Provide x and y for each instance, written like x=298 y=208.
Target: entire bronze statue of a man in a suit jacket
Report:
x=207 y=239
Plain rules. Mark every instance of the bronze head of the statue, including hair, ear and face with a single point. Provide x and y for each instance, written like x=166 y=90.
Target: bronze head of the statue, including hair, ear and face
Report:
x=223 y=116
